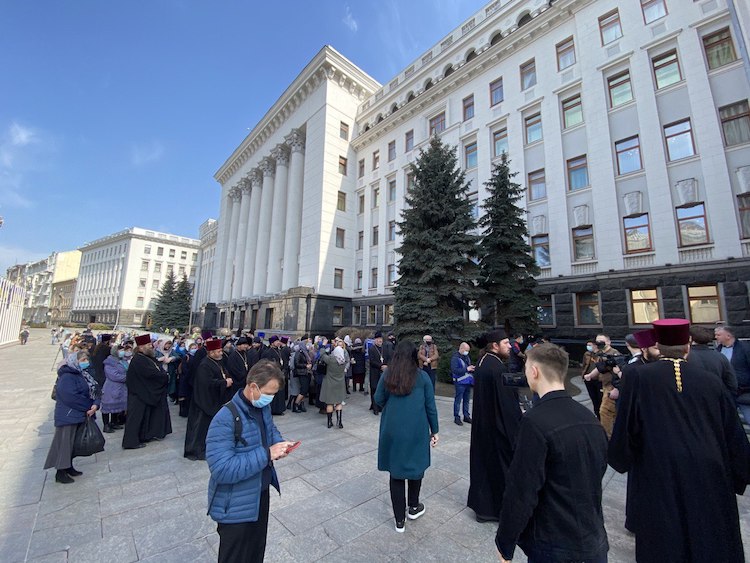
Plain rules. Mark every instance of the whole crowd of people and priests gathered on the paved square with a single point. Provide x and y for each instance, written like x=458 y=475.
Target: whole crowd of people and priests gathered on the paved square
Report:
x=666 y=413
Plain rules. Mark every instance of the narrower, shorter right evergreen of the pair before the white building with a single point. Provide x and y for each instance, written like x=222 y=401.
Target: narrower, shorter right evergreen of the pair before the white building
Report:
x=507 y=268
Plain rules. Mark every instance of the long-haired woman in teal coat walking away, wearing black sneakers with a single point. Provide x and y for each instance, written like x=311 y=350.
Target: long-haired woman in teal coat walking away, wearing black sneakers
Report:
x=408 y=427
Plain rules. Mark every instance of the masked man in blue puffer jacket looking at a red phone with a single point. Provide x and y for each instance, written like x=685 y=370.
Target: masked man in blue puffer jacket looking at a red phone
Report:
x=241 y=465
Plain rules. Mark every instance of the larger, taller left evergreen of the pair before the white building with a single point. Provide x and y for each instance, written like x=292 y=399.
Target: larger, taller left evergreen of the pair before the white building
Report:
x=437 y=273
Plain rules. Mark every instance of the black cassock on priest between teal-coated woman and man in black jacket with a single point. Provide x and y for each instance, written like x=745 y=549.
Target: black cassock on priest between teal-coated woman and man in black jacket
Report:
x=495 y=421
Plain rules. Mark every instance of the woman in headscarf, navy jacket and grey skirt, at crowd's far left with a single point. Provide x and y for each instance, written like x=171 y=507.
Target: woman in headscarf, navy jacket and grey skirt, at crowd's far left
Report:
x=76 y=397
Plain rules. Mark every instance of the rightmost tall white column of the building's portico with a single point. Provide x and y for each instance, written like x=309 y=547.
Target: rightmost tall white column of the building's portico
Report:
x=293 y=222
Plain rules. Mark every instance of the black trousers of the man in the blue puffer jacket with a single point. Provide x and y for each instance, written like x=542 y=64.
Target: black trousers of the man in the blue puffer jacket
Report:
x=245 y=542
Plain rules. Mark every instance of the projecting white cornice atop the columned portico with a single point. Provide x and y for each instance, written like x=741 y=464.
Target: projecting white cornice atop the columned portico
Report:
x=328 y=64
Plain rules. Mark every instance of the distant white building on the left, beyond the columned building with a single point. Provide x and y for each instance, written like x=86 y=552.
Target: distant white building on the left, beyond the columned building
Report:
x=121 y=274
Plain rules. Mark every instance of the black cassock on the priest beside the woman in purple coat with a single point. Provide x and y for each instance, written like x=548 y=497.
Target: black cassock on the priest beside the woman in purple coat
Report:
x=148 y=412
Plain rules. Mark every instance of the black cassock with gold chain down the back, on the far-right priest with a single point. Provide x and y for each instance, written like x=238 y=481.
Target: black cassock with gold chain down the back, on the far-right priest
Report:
x=687 y=455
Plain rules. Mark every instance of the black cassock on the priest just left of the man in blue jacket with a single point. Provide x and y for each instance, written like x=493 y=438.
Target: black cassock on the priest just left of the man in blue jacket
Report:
x=210 y=392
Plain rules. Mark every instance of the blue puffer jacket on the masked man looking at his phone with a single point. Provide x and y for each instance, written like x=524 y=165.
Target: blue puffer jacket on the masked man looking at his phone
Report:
x=236 y=471
